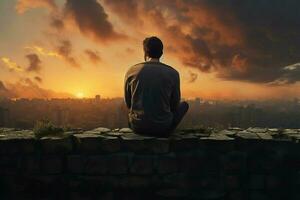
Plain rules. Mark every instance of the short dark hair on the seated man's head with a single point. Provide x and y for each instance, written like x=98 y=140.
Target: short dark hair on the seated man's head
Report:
x=153 y=47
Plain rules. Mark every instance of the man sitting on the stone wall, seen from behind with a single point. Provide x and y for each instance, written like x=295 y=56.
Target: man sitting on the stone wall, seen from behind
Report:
x=152 y=93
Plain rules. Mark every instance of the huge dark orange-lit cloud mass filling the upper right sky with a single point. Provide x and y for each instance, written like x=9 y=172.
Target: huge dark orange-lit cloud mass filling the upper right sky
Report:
x=249 y=40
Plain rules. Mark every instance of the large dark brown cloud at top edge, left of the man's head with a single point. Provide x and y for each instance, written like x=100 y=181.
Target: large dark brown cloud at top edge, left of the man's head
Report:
x=91 y=19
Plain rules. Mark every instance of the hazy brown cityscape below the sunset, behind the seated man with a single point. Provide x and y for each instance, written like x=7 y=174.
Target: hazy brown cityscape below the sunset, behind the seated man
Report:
x=89 y=113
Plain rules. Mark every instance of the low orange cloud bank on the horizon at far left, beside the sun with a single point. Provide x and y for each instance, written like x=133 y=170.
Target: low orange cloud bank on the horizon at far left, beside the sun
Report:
x=26 y=88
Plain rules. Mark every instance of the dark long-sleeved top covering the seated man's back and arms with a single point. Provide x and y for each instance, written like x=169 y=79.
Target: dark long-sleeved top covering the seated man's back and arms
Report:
x=152 y=93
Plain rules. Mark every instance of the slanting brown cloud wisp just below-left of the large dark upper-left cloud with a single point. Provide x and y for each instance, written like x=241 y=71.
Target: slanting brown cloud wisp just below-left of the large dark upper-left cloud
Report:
x=64 y=49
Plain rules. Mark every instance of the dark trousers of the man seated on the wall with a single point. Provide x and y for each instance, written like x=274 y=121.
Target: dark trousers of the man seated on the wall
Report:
x=178 y=115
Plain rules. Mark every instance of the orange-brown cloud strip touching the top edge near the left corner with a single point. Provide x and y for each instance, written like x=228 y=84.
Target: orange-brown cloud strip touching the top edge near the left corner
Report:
x=24 y=5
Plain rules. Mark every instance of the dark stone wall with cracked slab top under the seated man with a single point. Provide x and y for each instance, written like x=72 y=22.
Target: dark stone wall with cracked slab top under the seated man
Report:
x=101 y=164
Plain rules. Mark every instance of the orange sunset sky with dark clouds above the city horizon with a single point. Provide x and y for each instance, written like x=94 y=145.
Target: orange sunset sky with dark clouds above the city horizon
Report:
x=232 y=49
